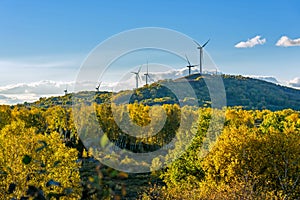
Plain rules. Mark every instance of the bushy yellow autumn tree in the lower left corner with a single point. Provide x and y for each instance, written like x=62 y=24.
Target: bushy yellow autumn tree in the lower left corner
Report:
x=36 y=165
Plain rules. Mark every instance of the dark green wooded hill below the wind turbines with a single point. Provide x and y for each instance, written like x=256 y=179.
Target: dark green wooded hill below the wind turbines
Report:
x=250 y=93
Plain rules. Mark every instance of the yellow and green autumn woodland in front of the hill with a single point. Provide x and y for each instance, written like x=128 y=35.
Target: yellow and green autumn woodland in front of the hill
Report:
x=256 y=156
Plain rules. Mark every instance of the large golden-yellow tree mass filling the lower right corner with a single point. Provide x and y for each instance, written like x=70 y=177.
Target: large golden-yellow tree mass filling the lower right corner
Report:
x=261 y=161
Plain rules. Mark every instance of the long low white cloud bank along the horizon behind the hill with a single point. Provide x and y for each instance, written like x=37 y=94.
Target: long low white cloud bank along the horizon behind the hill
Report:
x=30 y=92
